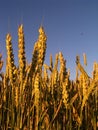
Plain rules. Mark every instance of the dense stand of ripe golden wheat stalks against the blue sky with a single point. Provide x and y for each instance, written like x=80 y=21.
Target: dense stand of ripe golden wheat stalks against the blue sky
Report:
x=38 y=96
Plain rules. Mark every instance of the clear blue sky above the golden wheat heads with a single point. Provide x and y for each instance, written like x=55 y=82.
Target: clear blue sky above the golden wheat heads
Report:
x=71 y=27
